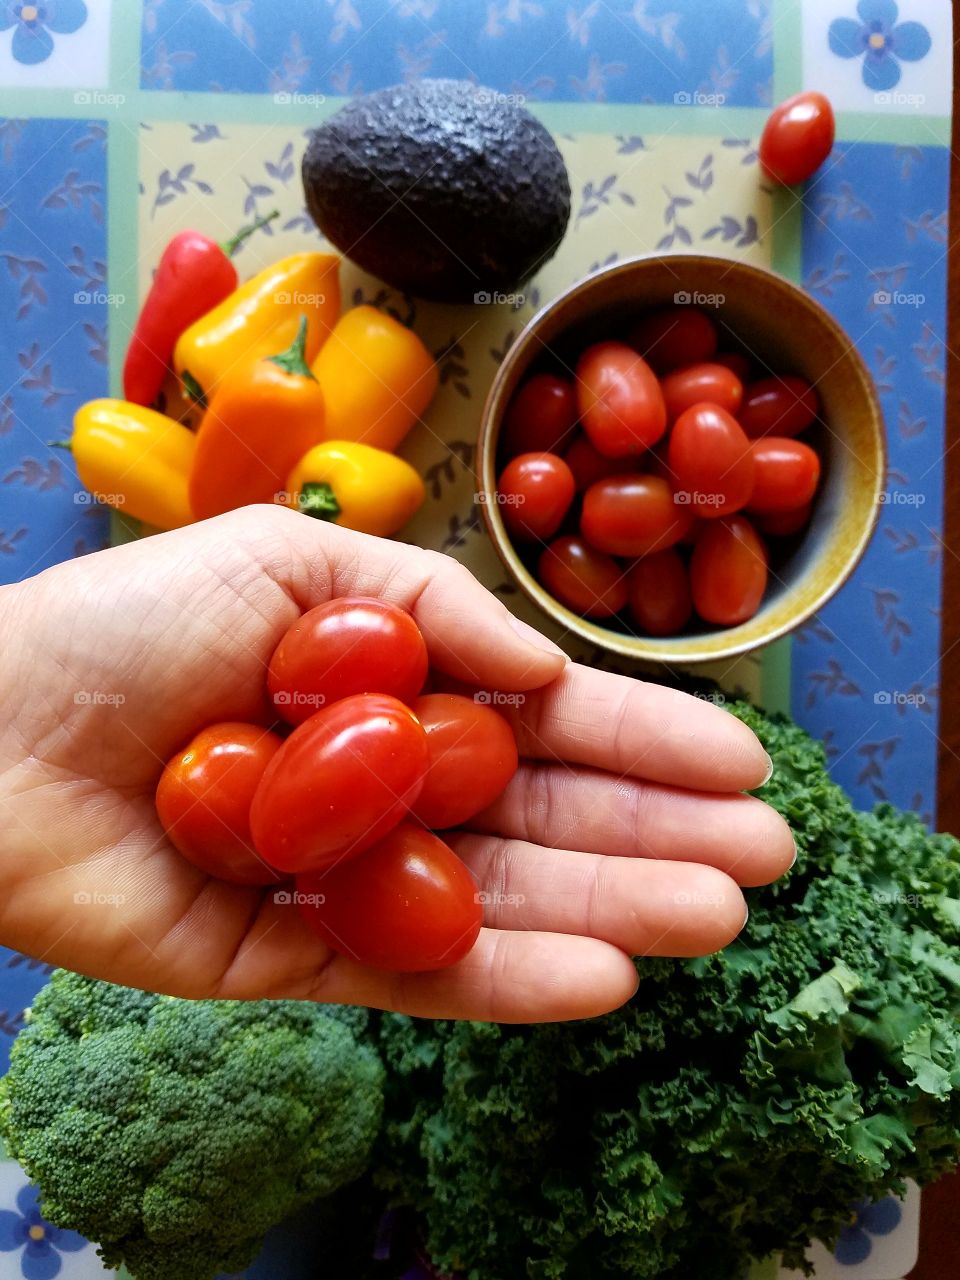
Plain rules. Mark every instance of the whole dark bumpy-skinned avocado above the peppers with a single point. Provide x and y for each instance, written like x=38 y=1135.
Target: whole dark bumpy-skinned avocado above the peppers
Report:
x=438 y=188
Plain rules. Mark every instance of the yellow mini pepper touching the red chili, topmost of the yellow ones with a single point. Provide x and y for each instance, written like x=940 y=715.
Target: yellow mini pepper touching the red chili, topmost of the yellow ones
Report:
x=262 y=318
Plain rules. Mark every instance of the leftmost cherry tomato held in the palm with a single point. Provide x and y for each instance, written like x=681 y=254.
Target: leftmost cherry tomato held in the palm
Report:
x=204 y=801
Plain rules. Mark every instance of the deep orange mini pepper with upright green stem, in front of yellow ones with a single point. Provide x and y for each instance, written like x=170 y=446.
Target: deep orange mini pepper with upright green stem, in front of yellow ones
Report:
x=262 y=422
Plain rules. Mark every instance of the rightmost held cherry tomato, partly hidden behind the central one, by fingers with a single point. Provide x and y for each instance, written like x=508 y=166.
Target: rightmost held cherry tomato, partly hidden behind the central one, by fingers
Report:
x=473 y=756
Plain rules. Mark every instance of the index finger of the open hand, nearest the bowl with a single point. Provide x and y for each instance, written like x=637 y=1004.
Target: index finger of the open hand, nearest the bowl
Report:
x=641 y=730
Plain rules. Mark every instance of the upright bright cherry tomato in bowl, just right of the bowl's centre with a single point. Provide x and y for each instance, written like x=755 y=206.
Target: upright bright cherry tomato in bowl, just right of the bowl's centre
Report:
x=711 y=461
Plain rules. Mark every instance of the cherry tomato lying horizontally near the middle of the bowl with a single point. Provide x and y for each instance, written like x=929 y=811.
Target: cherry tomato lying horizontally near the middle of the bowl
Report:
x=633 y=515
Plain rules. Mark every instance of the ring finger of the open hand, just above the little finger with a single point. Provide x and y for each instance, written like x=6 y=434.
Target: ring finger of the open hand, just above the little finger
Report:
x=644 y=908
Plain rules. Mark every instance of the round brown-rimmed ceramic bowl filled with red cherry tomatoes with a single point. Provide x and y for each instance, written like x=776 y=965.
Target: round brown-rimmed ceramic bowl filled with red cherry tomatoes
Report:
x=682 y=459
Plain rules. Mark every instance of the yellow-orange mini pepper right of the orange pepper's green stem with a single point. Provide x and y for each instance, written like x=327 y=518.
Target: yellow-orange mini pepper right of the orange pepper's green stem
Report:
x=377 y=378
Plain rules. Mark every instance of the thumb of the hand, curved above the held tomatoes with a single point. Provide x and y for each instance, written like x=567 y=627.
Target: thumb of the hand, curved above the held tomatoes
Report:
x=469 y=633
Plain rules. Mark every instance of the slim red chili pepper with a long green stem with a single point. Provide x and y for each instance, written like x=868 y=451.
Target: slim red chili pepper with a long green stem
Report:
x=194 y=275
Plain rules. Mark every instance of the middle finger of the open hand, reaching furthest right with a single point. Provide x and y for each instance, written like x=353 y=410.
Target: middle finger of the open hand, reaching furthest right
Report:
x=566 y=808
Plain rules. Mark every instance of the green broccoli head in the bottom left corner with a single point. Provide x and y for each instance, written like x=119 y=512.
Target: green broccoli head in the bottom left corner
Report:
x=176 y=1132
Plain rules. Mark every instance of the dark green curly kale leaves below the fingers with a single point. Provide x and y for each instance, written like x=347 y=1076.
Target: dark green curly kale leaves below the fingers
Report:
x=738 y=1105
